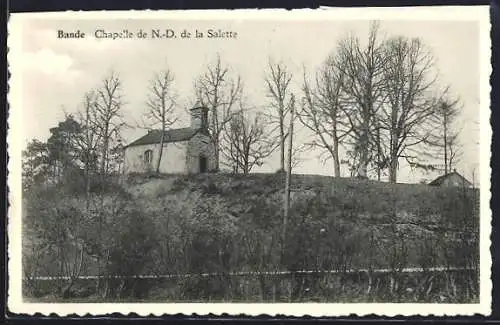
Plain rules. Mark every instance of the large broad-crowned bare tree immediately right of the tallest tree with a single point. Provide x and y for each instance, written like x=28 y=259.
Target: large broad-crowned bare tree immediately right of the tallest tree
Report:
x=410 y=103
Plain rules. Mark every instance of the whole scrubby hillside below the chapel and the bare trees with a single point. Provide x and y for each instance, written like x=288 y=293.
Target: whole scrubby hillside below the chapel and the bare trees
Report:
x=223 y=224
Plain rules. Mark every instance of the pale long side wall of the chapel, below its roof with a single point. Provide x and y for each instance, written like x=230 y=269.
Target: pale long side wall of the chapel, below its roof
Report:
x=173 y=159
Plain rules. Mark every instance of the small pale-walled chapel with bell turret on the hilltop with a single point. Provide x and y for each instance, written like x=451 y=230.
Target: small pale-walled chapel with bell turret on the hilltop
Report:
x=186 y=150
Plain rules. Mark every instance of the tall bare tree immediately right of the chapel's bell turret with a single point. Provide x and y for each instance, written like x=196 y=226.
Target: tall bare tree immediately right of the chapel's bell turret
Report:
x=218 y=91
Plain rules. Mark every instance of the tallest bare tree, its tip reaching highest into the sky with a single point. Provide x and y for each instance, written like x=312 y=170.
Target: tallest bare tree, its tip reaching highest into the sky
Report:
x=362 y=86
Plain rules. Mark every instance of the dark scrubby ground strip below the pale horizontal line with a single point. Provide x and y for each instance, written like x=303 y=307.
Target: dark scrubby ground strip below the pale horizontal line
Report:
x=452 y=286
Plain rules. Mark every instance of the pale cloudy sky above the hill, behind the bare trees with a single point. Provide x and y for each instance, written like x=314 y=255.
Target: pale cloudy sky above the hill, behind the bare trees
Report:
x=53 y=74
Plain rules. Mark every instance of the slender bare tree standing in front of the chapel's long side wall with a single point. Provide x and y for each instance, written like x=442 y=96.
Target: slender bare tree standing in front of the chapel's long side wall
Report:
x=160 y=107
